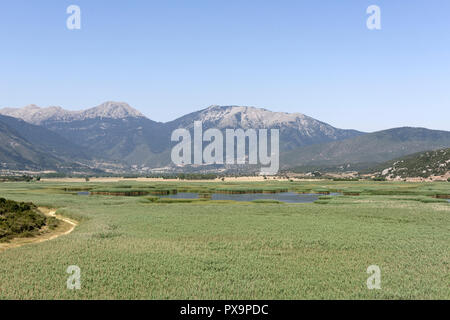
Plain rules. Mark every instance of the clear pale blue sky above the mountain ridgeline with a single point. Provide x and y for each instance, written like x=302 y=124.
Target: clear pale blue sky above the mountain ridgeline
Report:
x=168 y=58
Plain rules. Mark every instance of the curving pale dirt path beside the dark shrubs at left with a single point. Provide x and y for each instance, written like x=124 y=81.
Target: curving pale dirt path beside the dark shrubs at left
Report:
x=66 y=227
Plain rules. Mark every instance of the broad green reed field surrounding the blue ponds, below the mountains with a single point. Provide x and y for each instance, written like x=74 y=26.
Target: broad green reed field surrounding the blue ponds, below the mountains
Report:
x=139 y=248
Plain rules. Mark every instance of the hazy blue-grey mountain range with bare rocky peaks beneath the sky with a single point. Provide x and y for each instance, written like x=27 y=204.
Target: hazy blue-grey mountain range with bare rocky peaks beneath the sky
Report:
x=115 y=135
